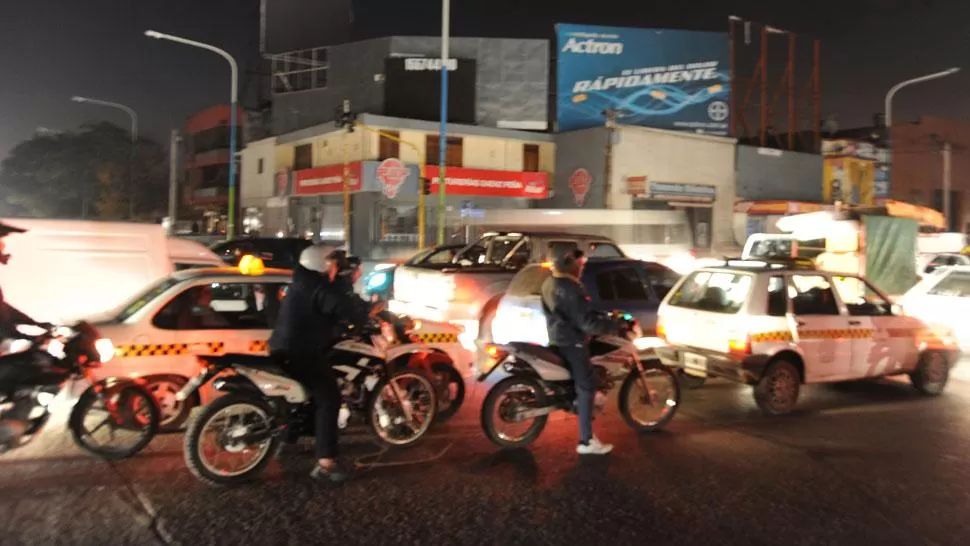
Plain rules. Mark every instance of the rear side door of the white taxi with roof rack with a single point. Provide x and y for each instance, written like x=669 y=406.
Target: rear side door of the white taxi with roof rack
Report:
x=822 y=331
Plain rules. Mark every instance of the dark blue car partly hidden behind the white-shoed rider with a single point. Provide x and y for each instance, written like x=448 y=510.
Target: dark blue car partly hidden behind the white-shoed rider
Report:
x=624 y=284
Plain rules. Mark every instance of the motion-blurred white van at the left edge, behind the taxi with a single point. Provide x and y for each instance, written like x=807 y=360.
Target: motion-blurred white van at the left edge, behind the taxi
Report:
x=62 y=270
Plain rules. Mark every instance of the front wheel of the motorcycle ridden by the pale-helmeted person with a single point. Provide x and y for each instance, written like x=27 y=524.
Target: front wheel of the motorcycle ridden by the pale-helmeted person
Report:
x=402 y=408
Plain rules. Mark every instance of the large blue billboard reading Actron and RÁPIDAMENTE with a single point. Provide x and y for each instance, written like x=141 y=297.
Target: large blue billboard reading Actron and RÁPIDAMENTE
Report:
x=668 y=79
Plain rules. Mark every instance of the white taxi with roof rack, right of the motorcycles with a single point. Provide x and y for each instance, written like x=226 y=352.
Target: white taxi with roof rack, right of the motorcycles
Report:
x=779 y=324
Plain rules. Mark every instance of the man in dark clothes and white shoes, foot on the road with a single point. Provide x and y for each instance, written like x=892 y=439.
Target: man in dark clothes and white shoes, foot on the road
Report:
x=571 y=321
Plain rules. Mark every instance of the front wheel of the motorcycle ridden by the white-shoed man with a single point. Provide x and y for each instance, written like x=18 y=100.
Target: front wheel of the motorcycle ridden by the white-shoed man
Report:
x=649 y=403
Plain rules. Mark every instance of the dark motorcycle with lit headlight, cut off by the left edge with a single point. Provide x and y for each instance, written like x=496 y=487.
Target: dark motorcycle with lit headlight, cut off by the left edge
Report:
x=39 y=373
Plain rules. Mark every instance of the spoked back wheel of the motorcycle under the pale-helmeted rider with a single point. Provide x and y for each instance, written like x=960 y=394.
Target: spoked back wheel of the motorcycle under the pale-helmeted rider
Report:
x=217 y=450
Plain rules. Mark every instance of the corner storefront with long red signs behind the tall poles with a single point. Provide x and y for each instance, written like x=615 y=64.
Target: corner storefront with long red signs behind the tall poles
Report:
x=384 y=201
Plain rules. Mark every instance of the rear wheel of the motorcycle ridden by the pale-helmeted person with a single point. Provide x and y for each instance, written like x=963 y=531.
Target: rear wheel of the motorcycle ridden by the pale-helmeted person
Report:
x=202 y=466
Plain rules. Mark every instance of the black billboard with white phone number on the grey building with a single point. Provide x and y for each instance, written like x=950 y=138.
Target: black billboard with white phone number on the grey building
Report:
x=412 y=89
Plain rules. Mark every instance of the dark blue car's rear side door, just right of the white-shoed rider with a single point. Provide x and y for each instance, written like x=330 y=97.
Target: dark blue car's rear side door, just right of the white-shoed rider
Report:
x=622 y=287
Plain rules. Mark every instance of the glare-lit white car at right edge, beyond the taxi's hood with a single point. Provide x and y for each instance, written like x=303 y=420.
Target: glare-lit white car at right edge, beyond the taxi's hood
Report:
x=942 y=298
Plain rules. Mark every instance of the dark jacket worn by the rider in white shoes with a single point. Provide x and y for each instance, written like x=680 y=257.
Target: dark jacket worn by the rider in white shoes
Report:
x=569 y=316
